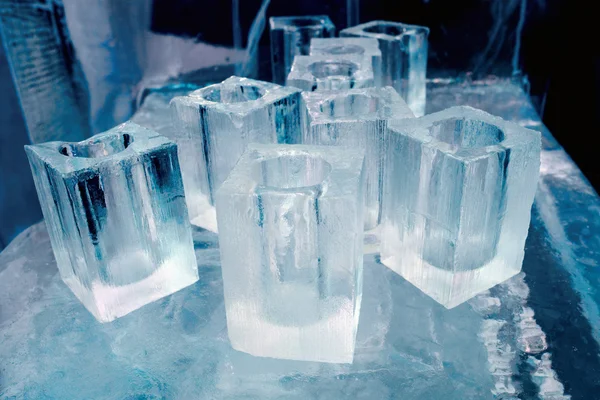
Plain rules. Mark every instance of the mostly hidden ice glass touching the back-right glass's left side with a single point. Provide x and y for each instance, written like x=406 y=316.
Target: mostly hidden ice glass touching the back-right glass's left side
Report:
x=361 y=46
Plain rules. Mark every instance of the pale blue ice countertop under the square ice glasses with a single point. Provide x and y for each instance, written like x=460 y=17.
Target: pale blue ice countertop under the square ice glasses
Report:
x=534 y=336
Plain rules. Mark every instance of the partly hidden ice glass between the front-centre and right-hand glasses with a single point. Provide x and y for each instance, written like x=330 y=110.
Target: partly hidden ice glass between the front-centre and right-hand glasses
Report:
x=356 y=118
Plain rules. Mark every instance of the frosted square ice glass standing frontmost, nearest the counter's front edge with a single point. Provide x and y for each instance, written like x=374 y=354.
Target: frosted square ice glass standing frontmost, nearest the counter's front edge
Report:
x=291 y=237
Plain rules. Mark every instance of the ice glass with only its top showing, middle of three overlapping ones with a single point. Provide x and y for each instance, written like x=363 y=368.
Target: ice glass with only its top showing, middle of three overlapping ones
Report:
x=331 y=72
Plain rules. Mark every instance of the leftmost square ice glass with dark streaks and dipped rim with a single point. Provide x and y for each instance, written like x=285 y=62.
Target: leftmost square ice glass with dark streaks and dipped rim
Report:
x=115 y=210
